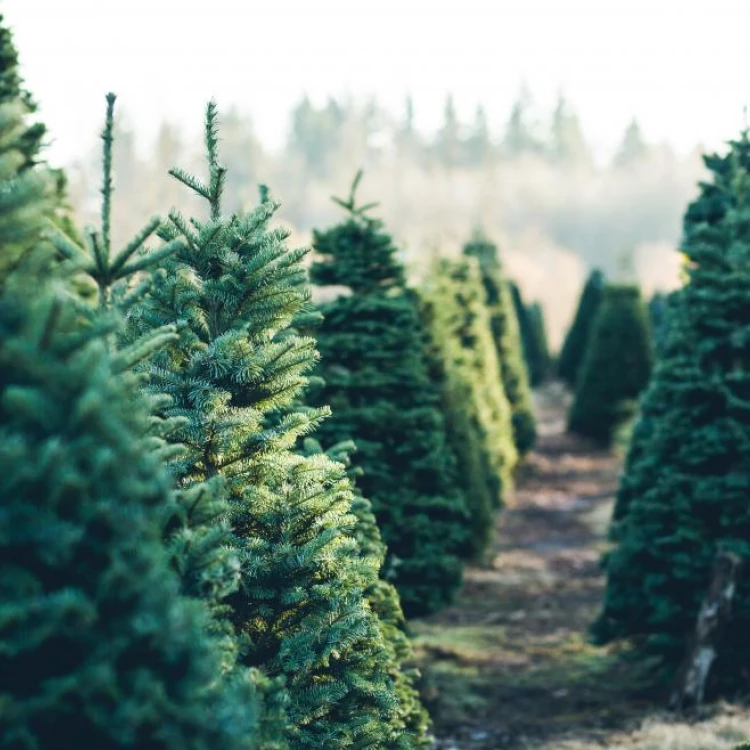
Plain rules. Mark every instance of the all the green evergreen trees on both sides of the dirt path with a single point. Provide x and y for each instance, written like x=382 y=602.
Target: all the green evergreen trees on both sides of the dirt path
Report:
x=218 y=497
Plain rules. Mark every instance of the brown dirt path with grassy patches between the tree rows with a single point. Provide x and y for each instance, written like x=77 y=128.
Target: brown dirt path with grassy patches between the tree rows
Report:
x=509 y=665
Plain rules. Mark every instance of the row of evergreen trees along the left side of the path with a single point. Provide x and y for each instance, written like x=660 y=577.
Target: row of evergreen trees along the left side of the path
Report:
x=190 y=555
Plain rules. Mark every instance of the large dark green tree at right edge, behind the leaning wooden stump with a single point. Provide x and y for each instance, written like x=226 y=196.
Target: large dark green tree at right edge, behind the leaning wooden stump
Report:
x=687 y=483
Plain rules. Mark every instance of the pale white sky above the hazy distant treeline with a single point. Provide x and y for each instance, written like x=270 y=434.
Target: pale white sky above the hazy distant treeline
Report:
x=679 y=66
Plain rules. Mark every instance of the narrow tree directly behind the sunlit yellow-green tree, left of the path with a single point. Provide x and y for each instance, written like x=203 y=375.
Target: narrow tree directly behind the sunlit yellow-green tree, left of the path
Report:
x=507 y=334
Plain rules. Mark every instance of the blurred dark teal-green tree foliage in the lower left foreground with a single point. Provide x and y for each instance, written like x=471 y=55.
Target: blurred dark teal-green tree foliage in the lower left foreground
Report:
x=96 y=641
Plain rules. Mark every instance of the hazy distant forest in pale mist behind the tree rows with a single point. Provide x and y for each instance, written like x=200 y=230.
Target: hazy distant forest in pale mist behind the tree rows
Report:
x=535 y=187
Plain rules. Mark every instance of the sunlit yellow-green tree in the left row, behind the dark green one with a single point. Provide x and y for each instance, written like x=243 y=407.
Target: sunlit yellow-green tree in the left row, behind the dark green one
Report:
x=477 y=411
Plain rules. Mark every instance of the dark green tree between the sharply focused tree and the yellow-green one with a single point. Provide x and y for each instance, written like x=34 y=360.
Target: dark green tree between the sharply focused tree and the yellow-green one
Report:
x=376 y=379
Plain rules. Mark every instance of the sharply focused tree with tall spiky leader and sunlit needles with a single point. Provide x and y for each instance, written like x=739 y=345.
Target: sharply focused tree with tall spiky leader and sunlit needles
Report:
x=235 y=376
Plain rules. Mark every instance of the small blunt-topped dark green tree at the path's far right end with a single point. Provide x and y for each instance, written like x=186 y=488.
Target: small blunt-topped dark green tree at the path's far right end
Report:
x=617 y=365
